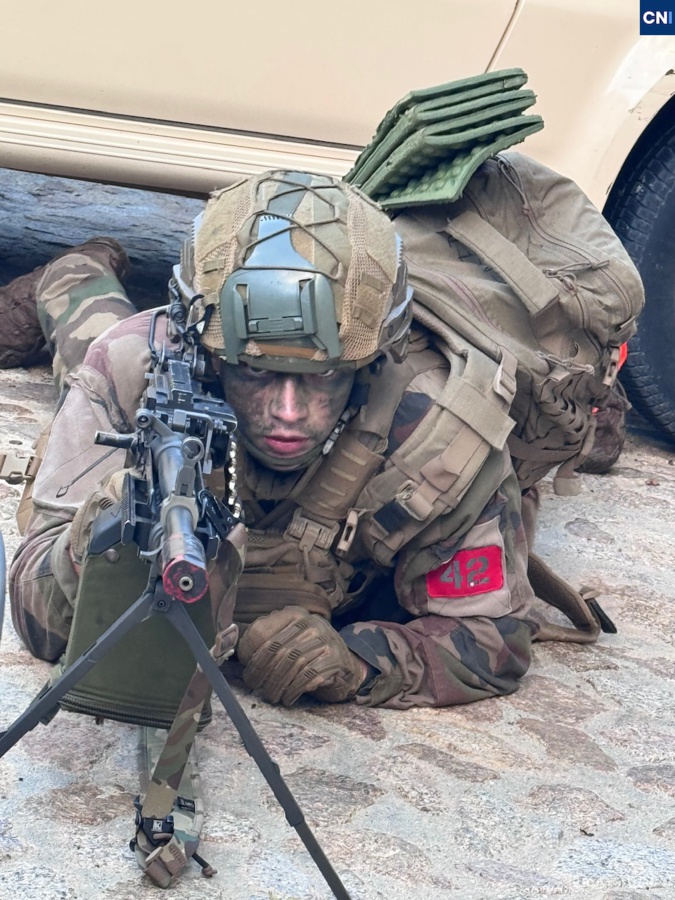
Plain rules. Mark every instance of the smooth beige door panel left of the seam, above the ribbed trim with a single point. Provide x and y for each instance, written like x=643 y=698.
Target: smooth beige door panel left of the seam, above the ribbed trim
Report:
x=299 y=69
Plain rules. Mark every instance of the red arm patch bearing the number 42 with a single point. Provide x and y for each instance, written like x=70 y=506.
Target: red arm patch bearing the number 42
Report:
x=468 y=572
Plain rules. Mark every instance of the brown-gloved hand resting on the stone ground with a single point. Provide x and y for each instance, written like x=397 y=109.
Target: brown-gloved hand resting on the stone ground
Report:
x=293 y=652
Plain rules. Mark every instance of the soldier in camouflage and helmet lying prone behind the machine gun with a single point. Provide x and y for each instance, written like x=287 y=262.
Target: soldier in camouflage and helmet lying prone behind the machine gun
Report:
x=359 y=583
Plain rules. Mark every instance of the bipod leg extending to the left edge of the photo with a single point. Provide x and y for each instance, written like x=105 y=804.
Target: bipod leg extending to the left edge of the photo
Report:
x=48 y=701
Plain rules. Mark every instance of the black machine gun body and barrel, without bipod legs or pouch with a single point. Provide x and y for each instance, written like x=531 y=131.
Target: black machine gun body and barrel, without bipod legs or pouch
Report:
x=182 y=433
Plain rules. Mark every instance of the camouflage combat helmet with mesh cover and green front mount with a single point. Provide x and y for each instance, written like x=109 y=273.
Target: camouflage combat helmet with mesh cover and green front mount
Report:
x=296 y=272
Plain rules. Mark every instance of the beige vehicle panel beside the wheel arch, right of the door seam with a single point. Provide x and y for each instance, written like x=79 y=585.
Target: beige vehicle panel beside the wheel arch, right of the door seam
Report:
x=598 y=83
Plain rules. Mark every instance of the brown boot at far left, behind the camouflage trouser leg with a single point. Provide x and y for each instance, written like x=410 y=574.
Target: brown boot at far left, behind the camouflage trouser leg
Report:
x=22 y=342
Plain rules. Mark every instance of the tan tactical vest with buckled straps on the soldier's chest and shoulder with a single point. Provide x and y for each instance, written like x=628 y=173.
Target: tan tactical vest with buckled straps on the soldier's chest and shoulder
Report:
x=331 y=530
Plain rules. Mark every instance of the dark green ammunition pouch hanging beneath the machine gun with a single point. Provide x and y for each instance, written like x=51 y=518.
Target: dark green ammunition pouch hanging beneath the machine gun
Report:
x=143 y=678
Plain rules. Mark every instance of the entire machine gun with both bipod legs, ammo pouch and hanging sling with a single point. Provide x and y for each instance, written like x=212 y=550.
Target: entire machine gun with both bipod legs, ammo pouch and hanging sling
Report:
x=176 y=524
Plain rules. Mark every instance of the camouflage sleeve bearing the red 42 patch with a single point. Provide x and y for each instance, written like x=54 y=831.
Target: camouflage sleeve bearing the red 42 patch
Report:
x=469 y=637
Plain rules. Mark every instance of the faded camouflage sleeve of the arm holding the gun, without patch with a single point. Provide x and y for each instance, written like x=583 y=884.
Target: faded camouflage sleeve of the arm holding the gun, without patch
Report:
x=103 y=396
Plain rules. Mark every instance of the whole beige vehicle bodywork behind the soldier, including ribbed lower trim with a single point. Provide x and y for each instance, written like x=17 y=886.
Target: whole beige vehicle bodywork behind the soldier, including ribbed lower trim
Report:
x=160 y=98
